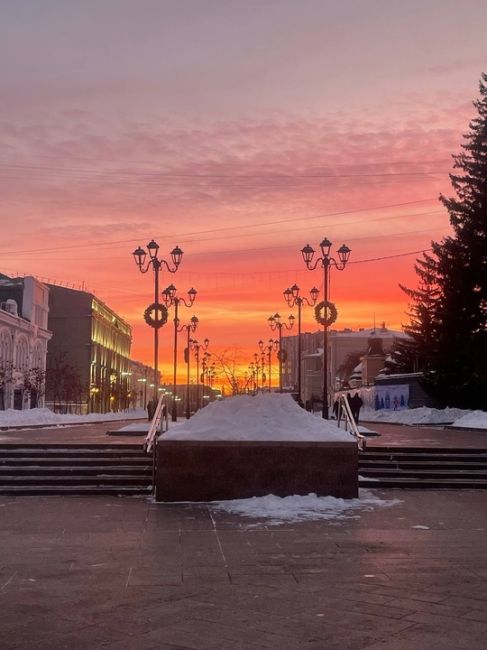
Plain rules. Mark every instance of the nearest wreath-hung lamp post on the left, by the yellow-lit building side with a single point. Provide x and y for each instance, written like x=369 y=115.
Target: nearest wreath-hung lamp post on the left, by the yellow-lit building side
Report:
x=157 y=321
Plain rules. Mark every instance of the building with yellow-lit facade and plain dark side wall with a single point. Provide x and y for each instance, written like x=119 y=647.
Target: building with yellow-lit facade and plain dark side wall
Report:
x=88 y=355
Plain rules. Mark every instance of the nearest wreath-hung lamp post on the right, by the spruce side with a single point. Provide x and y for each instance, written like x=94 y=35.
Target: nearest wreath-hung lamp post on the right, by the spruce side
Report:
x=329 y=310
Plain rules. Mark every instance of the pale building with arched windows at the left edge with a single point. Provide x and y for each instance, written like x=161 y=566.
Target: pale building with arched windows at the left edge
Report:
x=24 y=335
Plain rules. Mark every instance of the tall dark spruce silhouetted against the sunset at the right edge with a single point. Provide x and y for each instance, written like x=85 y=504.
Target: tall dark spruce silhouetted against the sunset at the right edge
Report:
x=449 y=324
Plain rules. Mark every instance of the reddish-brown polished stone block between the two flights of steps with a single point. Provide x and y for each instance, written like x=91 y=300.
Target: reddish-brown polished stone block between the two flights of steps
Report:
x=216 y=470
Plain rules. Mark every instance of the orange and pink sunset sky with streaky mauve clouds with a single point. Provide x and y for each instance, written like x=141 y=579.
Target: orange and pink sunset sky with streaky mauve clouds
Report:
x=240 y=131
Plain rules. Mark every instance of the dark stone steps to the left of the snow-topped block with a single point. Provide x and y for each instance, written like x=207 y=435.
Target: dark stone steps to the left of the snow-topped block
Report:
x=55 y=469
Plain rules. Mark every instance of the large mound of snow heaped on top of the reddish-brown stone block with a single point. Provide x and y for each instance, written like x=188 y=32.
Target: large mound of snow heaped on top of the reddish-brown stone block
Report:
x=267 y=416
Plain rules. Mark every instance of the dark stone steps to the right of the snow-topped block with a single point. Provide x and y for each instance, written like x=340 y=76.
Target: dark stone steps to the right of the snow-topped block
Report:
x=419 y=467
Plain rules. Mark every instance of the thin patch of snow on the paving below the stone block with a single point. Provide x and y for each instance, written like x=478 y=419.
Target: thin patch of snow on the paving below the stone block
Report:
x=280 y=510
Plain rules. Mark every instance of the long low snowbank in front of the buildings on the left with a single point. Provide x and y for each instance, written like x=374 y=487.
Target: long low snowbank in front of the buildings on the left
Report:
x=14 y=418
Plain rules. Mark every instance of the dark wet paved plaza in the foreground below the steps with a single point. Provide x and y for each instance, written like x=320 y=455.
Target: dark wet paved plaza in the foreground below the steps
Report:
x=128 y=574
